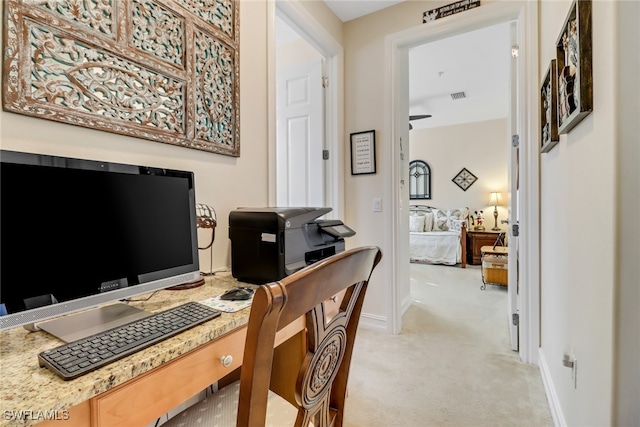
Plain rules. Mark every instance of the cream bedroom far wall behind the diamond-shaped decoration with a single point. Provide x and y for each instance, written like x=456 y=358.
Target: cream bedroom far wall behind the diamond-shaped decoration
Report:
x=481 y=148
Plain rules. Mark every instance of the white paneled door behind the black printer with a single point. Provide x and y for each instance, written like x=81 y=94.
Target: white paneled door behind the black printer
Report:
x=300 y=135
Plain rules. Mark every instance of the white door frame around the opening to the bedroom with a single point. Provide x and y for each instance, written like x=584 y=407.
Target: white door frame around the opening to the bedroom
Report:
x=525 y=14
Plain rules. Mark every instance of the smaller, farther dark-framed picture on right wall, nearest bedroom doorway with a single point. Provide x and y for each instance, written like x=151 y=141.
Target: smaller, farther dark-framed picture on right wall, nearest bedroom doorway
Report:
x=549 y=136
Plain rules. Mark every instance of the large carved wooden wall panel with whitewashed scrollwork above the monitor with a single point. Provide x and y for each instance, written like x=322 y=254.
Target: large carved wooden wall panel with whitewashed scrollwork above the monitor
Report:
x=163 y=70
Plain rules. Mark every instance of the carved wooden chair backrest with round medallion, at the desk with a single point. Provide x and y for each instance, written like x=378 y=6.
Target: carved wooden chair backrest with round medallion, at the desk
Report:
x=311 y=369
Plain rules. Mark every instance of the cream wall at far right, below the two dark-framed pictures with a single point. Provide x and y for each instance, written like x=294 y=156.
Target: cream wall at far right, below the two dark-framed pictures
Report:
x=581 y=260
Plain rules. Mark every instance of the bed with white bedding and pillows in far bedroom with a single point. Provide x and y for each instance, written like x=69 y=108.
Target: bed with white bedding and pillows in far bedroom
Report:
x=444 y=236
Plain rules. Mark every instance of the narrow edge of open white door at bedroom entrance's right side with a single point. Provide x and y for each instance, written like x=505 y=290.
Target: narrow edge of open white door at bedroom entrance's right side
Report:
x=514 y=186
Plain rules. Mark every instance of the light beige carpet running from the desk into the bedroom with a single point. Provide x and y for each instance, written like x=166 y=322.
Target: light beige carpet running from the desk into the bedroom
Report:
x=450 y=366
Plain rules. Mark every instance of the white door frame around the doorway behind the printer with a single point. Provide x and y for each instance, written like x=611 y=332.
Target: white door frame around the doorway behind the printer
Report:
x=300 y=19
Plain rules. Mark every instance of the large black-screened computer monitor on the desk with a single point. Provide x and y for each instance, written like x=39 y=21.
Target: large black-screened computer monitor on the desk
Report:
x=77 y=234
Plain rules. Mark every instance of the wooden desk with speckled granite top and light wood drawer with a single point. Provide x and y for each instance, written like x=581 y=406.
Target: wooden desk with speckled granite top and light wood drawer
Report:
x=135 y=390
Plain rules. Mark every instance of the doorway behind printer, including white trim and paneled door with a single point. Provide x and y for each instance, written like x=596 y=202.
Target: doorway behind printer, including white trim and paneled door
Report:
x=319 y=155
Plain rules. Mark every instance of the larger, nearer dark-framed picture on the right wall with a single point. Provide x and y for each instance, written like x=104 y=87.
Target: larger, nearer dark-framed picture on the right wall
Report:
x=573 y=61
